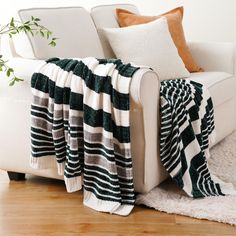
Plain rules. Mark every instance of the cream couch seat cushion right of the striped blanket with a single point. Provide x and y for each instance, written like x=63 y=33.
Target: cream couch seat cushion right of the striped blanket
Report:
x=222 y=86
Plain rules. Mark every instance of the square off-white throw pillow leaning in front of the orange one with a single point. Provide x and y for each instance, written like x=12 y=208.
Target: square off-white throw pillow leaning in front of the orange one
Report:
x=148 y=44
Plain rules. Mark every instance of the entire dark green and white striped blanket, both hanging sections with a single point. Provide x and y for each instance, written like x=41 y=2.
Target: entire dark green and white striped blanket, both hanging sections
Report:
x=80 y=125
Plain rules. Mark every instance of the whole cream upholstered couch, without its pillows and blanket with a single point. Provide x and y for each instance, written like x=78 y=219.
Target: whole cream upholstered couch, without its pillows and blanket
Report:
x=218 y=60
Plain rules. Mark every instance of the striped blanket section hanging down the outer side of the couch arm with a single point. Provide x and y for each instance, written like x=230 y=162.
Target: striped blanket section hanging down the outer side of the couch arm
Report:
x=80 y=115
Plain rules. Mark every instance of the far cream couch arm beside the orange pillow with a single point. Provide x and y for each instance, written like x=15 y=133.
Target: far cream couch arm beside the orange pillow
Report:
x=213 y=56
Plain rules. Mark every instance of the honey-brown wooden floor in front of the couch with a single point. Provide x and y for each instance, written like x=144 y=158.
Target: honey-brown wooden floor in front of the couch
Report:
x=40 y=206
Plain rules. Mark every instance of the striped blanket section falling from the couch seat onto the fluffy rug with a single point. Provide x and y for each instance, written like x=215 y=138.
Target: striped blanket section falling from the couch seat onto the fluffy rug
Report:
x=187 y=130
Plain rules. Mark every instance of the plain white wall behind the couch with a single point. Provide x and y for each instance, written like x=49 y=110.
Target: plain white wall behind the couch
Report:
x=204 y=20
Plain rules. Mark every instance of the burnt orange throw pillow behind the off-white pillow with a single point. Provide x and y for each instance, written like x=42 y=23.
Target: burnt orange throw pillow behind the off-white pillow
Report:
x=174 y=19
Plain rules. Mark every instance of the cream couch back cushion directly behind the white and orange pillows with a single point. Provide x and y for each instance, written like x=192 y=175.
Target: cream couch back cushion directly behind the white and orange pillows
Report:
x=104 y=16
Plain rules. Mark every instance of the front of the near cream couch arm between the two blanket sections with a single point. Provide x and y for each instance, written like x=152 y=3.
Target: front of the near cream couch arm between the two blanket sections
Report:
x=144 y=128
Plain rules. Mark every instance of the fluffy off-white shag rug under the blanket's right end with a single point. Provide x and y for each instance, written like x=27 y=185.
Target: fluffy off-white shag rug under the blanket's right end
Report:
x=168 y=198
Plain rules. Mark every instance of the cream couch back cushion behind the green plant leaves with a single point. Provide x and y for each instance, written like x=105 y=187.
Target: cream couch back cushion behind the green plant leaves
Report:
x=74 y=28
